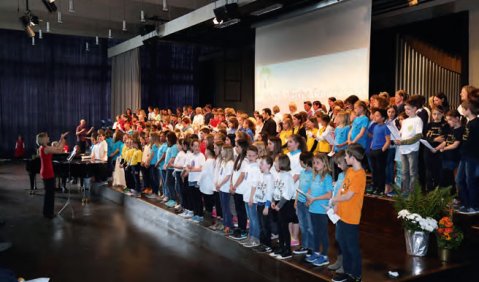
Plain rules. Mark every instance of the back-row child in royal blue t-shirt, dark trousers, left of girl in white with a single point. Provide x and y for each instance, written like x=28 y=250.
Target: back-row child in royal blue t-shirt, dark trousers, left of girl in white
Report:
x=378 y=154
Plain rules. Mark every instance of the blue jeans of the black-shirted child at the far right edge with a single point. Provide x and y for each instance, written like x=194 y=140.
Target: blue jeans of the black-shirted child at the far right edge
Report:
x=468 y=184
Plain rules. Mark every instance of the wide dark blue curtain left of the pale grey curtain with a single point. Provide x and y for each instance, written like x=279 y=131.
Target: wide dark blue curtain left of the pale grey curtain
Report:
x=50 y=87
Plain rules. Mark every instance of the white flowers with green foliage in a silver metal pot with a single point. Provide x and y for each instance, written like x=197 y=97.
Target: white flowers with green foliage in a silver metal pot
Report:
x=419 y=213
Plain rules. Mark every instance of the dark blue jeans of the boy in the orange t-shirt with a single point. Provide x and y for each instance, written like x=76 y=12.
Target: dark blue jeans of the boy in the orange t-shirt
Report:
x=347 y=236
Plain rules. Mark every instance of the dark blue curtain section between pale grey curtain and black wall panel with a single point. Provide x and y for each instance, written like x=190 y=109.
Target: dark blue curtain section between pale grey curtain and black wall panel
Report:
x=169 y=75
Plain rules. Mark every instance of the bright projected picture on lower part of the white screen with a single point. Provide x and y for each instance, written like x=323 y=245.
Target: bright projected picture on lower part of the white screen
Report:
x=338 y=75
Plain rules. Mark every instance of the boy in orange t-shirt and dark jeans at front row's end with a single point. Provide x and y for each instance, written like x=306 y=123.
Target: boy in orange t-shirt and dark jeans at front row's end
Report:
x=349 y=204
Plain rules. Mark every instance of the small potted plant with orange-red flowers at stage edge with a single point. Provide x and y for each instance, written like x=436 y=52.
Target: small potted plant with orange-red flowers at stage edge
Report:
x=449 y=238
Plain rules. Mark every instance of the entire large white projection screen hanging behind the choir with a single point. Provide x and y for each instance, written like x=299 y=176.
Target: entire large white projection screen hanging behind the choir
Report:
x=314 y=56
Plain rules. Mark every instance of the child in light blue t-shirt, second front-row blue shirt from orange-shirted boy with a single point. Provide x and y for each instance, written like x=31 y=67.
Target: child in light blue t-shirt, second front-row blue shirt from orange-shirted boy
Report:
x=304 y=218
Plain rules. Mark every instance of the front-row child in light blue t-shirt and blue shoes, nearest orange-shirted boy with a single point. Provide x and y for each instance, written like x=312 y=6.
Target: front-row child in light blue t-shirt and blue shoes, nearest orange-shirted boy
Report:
x=321 y=191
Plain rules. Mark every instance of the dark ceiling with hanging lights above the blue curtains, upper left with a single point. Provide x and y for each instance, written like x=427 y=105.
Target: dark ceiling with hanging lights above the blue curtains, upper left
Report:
x=95 y=17
